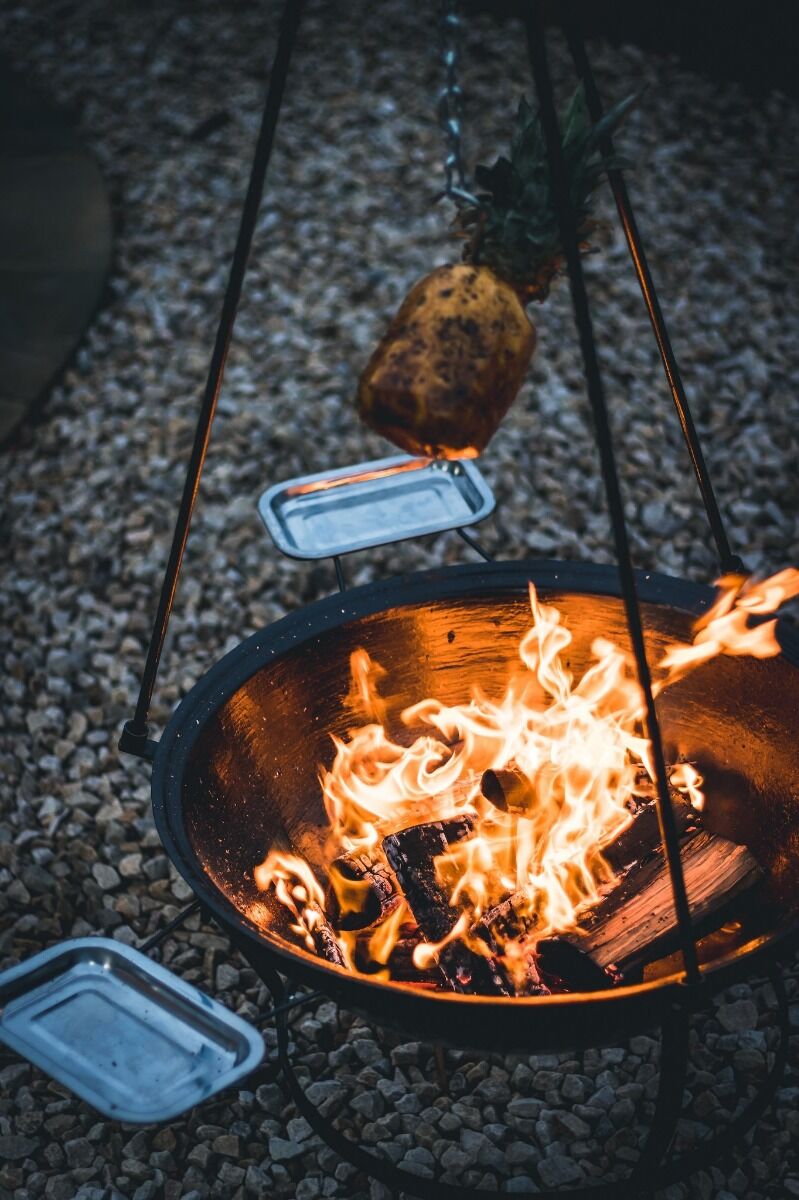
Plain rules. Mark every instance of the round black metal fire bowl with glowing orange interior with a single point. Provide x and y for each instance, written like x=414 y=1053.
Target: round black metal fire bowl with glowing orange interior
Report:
x=238 y=765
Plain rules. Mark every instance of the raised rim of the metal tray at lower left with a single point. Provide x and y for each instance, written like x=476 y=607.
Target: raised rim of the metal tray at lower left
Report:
x=250 y=1036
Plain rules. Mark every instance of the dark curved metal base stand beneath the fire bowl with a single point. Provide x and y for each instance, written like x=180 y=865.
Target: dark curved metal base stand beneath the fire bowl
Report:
x=651 y=1167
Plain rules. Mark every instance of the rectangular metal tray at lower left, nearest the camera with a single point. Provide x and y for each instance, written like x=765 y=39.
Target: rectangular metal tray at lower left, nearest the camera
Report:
x=123 y=1033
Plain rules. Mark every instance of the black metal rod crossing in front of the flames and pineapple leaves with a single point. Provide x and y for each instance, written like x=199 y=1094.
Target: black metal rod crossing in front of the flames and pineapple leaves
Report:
x=568 y=226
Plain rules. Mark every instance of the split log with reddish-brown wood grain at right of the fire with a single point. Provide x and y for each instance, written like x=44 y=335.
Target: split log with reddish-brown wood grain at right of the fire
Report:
x=636 y=922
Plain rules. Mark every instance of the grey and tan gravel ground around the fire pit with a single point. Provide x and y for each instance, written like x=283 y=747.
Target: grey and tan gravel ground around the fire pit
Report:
x=170 y=101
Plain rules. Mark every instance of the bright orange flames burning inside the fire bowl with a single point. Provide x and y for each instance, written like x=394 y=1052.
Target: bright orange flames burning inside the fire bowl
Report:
x=572 y=758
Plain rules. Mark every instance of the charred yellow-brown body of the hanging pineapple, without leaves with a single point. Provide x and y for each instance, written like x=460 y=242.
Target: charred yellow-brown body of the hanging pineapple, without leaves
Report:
x=449 y=365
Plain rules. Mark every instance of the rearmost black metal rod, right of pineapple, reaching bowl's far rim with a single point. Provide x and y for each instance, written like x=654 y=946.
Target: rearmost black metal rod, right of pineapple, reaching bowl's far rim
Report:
x=730 y=562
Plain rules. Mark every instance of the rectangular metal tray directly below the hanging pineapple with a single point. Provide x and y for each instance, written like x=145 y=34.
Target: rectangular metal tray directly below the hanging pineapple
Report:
x=374 y=503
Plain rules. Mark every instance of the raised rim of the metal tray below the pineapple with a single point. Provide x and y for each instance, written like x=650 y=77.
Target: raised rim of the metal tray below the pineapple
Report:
x=476 y=477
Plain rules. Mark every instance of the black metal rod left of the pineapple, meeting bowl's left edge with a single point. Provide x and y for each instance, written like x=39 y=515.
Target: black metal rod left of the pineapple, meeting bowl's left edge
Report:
x=137 y=730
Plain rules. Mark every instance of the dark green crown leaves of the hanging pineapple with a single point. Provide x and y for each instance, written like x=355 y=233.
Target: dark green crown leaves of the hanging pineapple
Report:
x=513 y=218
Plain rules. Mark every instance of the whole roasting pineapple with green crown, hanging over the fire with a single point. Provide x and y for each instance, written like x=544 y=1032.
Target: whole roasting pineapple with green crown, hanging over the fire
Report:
x=455 y=355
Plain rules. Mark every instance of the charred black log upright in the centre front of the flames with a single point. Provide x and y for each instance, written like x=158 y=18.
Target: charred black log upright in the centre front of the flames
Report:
x=412 y=856
